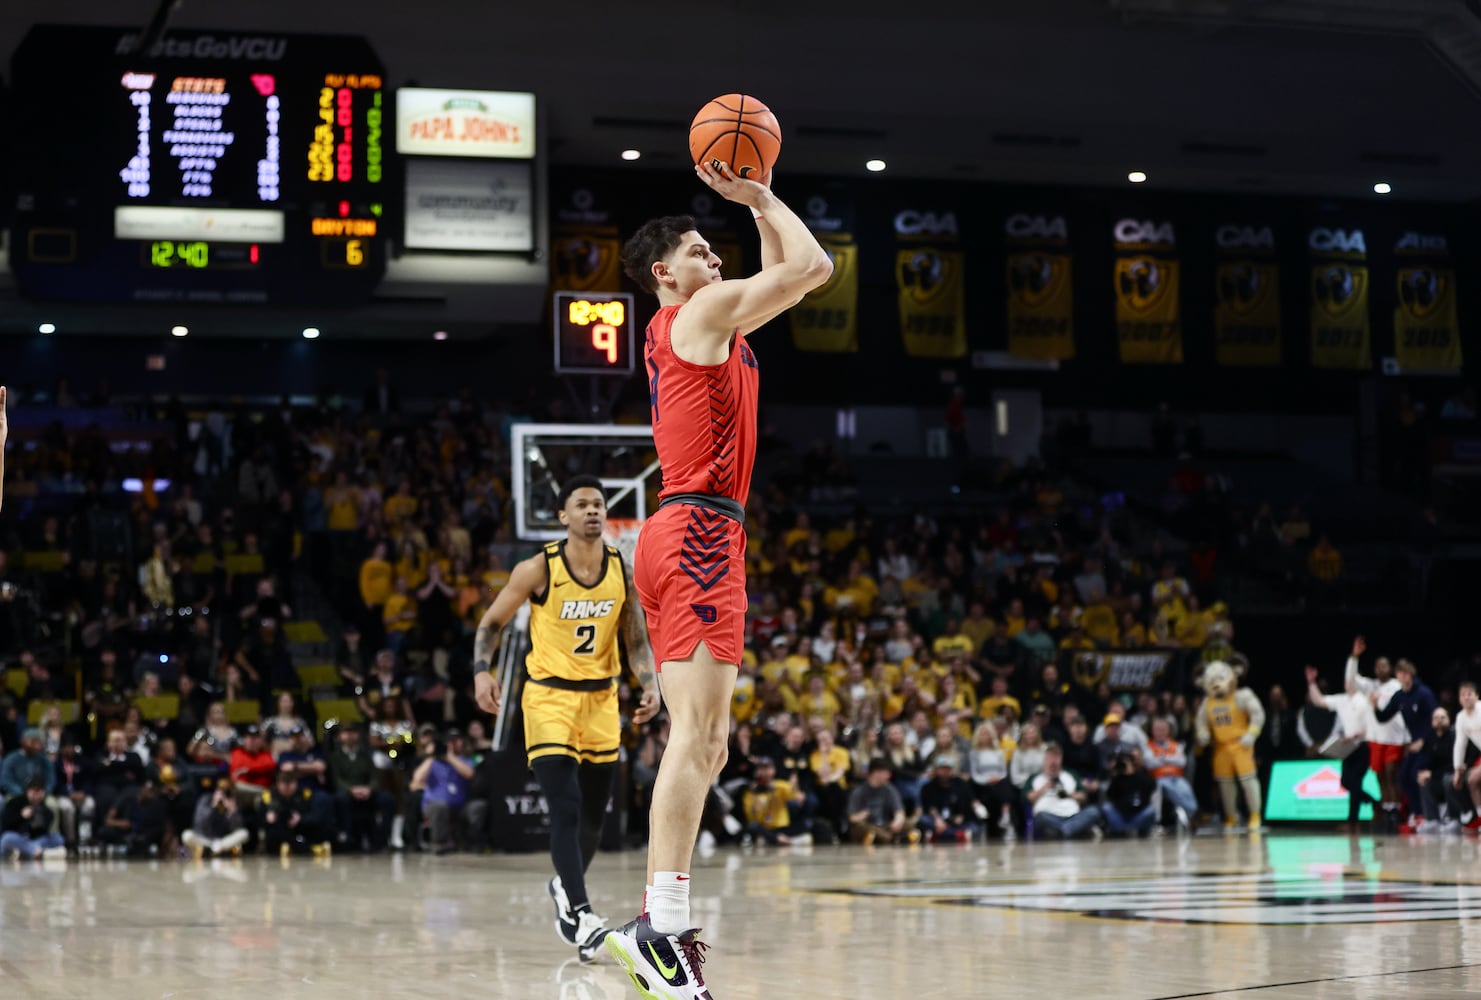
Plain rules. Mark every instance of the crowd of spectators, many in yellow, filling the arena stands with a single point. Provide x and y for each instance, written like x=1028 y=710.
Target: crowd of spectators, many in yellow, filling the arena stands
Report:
x=906 y=678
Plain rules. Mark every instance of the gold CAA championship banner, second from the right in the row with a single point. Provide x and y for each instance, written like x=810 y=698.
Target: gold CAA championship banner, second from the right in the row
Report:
x=1341 y=331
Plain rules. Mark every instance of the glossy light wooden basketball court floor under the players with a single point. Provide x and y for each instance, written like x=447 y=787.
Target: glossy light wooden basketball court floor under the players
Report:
x=1274 y=918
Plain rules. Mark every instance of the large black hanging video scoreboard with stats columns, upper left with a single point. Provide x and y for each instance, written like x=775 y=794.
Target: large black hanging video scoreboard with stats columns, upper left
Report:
x=211 y=168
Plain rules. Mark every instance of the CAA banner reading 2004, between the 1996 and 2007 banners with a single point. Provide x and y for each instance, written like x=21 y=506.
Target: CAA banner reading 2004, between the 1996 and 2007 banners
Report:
x=1042 y=288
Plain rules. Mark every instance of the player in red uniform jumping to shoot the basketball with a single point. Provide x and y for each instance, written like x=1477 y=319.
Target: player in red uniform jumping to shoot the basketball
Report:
x=691 y=556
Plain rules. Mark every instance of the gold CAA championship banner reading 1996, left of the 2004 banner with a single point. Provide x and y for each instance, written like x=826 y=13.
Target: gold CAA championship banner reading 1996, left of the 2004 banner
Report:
x=929 y=273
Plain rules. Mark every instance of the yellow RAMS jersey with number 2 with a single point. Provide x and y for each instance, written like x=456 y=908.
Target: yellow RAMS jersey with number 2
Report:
x=574 y=629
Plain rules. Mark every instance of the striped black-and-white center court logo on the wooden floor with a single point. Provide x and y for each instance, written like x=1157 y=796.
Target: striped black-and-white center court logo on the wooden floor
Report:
x=1267 y=900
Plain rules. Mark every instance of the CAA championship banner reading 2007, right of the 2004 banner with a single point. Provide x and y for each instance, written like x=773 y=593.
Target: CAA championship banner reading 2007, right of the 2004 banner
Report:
x=1147 y=315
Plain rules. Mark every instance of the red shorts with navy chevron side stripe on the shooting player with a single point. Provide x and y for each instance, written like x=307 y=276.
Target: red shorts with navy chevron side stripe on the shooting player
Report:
x=689 y=570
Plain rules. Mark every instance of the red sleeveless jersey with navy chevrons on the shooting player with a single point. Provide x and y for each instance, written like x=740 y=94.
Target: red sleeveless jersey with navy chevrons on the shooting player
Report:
x=704 y=416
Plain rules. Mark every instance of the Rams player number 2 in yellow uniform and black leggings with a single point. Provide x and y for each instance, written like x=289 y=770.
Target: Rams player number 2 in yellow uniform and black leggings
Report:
x=581 y=607
